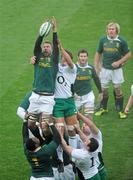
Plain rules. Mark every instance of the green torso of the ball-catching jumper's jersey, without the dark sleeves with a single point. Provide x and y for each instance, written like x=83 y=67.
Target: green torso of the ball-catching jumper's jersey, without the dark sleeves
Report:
x=44 y=75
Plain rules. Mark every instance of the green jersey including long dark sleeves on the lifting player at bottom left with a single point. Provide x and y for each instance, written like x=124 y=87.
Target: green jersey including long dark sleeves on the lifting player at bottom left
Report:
x=41 y=159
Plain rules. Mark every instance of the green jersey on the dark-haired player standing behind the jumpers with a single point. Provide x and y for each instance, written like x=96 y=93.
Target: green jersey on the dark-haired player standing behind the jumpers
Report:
x=83 y=82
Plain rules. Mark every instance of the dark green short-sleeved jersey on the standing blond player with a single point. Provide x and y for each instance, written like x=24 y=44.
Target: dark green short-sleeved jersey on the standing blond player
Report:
x=112 y=50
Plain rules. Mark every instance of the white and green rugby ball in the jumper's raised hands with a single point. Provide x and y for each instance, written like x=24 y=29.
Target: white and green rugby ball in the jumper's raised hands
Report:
x=45 y=28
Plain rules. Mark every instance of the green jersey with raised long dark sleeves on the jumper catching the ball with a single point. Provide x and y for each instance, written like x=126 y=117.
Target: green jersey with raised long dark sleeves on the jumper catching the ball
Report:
x=45 y=68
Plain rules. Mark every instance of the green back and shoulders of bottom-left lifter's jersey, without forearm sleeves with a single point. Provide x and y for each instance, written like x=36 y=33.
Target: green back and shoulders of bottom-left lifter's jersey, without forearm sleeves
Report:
x=41 y=160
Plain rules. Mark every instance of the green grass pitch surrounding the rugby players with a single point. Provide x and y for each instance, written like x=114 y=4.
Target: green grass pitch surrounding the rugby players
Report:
x=80 y=24
